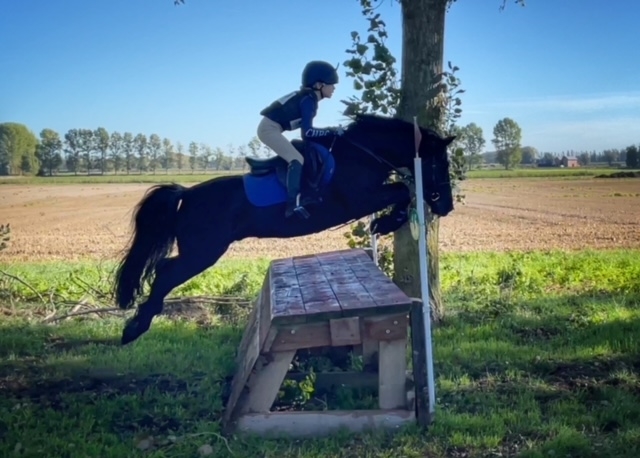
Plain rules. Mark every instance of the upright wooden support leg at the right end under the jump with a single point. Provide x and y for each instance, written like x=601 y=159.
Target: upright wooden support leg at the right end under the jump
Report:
x=392 y=374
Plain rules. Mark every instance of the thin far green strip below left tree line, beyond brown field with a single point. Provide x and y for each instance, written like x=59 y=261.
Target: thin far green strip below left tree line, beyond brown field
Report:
x=113 y=179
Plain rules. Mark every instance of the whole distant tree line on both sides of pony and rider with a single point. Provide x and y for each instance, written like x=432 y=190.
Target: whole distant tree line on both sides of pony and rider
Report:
x=96 y=151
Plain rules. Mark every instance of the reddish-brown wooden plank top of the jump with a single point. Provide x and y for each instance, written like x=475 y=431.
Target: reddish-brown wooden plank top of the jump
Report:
x=330 y=285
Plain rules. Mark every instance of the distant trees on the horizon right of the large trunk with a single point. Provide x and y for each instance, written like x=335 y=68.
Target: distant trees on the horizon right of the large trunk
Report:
x=509 y=152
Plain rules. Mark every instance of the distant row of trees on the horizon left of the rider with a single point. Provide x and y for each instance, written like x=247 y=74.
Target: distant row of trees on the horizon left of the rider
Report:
x=96 y=151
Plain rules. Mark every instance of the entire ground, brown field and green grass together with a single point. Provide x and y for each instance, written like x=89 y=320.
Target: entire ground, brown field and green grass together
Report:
x=538 y=355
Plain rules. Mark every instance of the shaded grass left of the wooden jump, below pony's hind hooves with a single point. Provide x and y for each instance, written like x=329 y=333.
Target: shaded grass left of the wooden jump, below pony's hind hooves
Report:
x=73 y=385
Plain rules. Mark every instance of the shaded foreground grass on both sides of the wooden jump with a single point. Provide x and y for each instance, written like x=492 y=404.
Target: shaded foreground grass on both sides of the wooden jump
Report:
x=552 y=377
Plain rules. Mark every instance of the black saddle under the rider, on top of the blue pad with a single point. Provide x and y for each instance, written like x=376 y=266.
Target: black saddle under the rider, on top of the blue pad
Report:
x=313 y=169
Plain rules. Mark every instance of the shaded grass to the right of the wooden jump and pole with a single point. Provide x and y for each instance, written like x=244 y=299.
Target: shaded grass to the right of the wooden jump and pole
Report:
x=555 y=376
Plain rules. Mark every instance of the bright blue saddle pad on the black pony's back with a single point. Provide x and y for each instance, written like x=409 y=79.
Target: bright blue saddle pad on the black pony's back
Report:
x=265 y=190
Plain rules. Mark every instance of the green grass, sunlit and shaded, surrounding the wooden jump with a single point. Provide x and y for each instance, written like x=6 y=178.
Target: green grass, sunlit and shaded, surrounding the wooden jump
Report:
x=538 y=357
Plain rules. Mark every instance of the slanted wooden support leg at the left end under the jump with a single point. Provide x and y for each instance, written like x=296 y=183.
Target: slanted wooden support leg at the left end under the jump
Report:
x=265 y=383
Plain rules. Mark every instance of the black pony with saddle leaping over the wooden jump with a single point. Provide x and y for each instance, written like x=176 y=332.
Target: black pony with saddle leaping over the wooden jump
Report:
x=206 y=218
